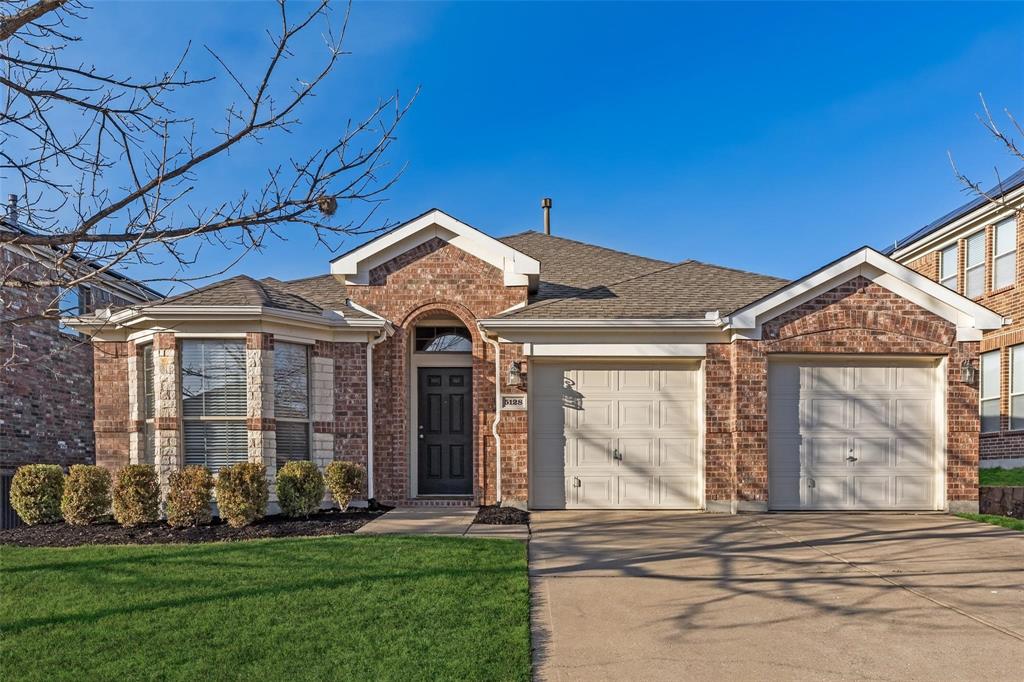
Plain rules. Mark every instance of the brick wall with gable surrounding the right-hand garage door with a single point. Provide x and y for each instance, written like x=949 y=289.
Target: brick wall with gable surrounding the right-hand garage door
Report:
x=858 y=318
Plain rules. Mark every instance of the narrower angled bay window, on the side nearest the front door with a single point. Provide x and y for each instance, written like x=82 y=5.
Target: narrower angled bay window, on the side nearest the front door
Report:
x=291 y=402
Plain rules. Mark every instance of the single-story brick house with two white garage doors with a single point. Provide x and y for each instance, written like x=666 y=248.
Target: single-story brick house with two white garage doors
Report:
x=622 y=382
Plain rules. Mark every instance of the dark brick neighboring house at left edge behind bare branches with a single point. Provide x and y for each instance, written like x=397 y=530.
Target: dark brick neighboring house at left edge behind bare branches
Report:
x=47 y=369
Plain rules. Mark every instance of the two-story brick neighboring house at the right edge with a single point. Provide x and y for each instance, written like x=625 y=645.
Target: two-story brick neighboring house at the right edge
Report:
x=974 y=251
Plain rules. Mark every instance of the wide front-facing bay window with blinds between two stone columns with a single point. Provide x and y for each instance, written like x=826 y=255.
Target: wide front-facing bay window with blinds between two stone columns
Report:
x=214 y=403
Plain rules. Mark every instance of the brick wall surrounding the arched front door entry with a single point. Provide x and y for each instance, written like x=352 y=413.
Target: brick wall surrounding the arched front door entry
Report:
x=435 y=279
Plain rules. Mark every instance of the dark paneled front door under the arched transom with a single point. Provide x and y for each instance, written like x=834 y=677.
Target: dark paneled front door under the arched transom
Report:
x=446 y=432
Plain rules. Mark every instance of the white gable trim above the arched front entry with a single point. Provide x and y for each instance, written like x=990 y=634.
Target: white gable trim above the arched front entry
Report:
x=519 y=269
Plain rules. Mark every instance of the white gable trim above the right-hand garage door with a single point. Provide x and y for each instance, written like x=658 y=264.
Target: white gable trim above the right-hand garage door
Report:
x=970 y=318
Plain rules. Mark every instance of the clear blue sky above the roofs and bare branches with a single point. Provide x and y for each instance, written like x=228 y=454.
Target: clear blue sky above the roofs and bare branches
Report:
x=772 y=138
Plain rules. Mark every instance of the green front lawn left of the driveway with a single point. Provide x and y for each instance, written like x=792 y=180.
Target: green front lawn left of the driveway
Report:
x=332 y=609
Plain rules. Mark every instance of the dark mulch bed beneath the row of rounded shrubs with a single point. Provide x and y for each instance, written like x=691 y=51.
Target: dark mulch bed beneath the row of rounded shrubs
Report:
x=334 y=523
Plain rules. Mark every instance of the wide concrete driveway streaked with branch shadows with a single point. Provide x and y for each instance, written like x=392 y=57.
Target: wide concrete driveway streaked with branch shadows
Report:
x=667 y=596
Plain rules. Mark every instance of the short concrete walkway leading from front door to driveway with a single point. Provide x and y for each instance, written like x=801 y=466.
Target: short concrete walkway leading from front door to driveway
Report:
x=440 y=522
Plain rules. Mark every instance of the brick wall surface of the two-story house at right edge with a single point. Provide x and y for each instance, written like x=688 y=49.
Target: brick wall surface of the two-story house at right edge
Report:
x=1008 y=302
